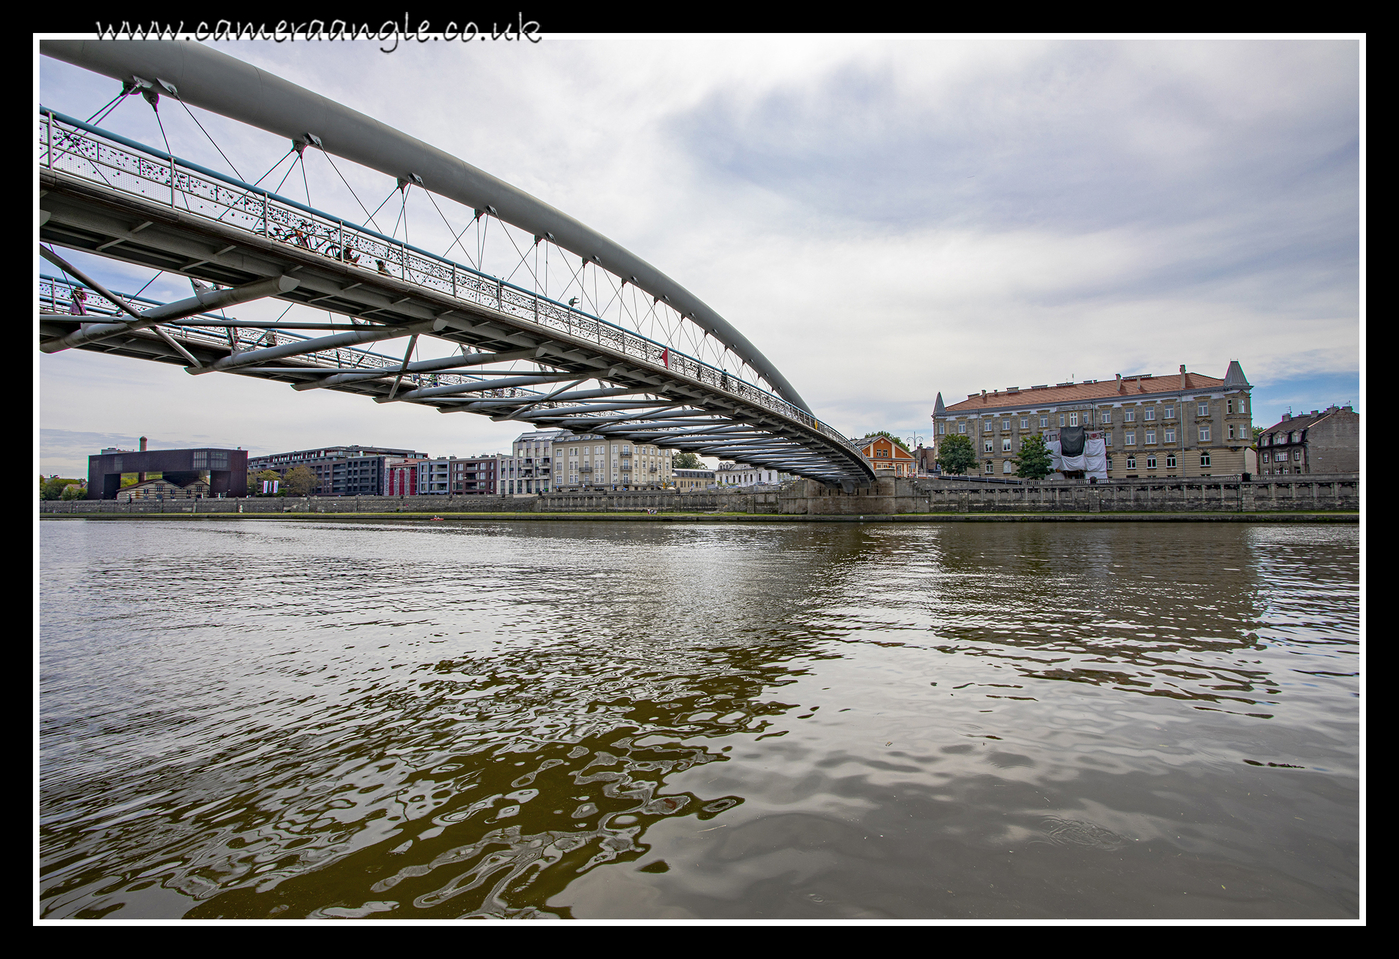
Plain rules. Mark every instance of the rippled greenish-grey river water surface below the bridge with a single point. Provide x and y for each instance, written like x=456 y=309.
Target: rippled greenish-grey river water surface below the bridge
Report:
x=674 y=722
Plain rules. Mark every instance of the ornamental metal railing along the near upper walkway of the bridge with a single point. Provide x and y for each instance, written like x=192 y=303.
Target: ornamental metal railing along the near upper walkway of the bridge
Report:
x=80 y=149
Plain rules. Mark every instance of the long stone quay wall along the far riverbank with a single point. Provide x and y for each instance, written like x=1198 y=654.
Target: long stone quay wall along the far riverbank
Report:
x=889 y=496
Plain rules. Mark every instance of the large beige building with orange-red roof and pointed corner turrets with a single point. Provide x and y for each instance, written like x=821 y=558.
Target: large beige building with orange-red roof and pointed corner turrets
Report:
x=1177 y=425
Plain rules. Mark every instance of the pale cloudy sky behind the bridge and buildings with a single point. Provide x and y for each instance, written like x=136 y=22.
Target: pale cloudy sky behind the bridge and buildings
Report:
x=885 y=218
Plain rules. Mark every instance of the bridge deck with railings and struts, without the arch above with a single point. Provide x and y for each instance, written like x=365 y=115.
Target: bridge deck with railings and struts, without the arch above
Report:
x=118 y=199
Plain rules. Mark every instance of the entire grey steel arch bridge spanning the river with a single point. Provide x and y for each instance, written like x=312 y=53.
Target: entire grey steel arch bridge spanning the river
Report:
x=632 y=355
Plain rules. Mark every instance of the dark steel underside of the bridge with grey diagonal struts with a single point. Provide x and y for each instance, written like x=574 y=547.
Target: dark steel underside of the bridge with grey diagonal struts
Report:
x=581 y=379
